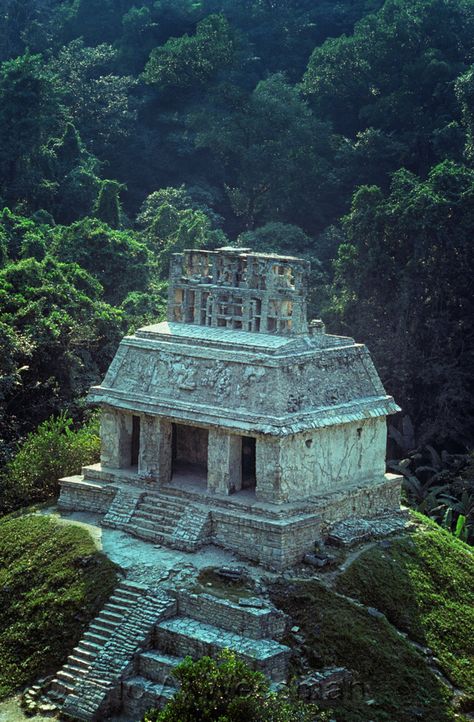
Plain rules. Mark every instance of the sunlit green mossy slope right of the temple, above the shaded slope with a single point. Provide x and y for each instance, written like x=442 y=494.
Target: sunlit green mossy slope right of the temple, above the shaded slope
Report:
x=424 y=584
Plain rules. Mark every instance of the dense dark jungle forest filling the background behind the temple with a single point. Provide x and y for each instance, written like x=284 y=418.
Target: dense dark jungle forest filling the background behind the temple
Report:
x=341 y=131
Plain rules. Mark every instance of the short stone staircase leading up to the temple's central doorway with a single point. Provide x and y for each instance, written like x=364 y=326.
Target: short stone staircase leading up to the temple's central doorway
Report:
x=169 y=521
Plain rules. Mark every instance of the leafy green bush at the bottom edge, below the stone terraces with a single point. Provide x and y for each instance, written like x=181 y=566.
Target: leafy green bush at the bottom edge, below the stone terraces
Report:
x=227 y=690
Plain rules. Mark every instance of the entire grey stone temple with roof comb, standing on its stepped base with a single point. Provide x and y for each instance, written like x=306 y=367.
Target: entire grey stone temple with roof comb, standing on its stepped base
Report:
x=236 y=422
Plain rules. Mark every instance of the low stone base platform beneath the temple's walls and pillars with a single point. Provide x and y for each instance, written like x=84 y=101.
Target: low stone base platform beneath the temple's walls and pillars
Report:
x=276 y=536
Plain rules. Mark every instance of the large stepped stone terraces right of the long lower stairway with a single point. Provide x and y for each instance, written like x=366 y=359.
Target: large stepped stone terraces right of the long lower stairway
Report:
x=243 y=629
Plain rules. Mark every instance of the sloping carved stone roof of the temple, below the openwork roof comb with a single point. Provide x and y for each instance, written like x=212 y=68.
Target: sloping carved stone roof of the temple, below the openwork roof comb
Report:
x=252 y=382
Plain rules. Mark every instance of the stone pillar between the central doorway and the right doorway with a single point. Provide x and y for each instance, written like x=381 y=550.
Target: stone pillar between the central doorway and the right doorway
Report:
x=224 y=462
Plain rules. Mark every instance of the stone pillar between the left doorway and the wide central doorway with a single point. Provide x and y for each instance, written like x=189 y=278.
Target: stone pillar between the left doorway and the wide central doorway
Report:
x=155 y=448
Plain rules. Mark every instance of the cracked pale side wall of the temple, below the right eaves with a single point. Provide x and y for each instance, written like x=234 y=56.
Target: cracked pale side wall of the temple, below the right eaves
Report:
x=331 y=458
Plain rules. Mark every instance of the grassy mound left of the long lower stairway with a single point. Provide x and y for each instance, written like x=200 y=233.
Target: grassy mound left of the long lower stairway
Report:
x=52 y=582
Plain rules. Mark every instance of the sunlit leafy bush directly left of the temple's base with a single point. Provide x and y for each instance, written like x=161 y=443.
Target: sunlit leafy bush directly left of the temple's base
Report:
x=53 y=451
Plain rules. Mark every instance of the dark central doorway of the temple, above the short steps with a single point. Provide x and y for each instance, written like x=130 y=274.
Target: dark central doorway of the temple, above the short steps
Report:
x=189 y=451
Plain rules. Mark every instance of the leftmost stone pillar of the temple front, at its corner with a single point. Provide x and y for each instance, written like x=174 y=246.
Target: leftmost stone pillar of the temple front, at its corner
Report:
x=116 y=439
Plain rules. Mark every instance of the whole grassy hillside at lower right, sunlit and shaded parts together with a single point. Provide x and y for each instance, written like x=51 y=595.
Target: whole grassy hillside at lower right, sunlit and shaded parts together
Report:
x=423 y=582
